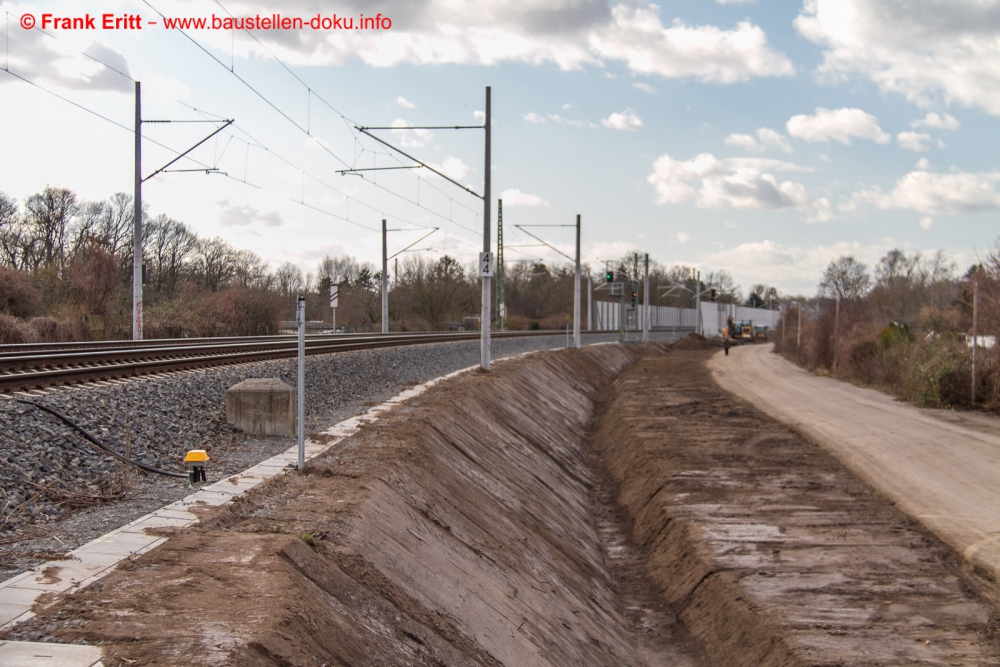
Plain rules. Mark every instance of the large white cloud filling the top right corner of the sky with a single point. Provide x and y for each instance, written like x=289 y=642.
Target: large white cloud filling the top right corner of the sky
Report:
x=929 y=51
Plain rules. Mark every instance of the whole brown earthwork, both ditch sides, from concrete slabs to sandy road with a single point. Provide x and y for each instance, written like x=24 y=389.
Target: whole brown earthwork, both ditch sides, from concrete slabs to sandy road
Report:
x=575 y=508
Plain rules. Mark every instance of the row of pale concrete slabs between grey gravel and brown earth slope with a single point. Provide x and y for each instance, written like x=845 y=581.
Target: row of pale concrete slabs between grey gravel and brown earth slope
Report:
x=97 y=558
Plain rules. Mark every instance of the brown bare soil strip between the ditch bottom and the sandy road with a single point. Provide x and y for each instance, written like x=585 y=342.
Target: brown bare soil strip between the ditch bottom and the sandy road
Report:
x=772 y=551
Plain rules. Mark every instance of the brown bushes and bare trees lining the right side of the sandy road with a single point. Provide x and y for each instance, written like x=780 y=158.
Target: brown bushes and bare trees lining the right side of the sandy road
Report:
x=905 y=326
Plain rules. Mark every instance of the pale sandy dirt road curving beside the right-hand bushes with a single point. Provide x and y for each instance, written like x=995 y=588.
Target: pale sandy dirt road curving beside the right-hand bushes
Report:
x=941 y=467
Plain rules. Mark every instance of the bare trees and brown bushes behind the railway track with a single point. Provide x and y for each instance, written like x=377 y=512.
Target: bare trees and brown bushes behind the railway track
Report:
x=66 y=273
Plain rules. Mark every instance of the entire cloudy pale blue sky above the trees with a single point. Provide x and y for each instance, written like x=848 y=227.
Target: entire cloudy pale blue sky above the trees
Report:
x=761 y=138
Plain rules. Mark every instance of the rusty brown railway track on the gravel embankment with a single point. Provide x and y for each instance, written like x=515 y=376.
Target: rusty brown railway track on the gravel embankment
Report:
x=38 y=366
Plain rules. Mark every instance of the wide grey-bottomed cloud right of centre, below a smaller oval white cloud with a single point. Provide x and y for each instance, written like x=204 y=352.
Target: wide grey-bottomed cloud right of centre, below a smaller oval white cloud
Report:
x=710 y=182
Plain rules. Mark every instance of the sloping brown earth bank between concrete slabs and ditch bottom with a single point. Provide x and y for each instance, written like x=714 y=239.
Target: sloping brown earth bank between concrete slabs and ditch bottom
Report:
x=467 y=528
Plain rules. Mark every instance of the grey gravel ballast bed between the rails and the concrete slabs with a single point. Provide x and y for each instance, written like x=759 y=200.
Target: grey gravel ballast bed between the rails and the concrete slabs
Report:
x=164 y=417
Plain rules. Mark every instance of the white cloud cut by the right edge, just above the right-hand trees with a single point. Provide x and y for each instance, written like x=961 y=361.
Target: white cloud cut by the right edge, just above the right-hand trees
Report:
x=935 y=194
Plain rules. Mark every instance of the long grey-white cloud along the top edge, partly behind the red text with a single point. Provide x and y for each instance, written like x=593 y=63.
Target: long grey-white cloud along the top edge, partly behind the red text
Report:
x=570 y=34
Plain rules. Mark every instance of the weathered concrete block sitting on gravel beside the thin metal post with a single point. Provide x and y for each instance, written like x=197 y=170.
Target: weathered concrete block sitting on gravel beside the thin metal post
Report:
x=262 y=406
